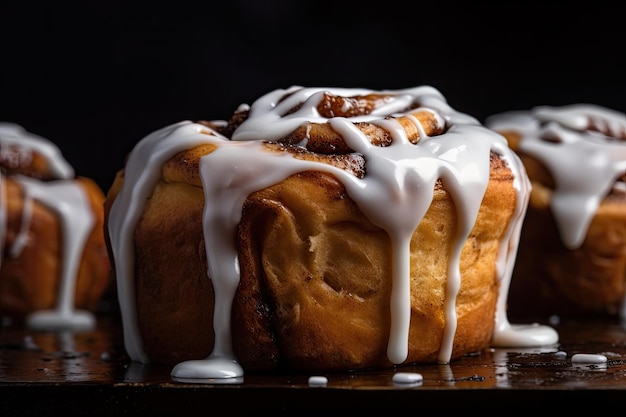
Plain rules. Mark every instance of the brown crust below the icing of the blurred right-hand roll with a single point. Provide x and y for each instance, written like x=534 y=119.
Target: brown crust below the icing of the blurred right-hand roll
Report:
x=552 y=279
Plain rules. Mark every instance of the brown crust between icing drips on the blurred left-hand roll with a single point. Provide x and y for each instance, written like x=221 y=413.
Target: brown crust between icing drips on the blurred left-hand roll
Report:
x=30 y=281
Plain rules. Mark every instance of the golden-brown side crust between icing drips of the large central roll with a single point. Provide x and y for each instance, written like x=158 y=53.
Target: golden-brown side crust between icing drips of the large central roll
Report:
x=315 y=273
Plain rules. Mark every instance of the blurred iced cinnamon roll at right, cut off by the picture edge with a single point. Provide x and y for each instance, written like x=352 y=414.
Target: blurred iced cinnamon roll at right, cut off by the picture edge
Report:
x=572 y=255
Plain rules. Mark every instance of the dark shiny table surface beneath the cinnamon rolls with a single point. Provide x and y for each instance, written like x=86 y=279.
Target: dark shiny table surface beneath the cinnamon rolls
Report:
x=89 y=373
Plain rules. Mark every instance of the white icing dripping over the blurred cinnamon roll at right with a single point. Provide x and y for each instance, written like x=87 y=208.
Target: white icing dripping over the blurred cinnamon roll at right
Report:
x=585 y=164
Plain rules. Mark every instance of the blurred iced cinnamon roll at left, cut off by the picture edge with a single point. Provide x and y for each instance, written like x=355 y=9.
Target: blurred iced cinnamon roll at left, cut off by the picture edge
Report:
x=54 y=266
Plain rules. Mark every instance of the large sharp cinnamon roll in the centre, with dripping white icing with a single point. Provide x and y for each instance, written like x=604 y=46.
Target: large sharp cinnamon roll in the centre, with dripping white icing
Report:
x=319 y=229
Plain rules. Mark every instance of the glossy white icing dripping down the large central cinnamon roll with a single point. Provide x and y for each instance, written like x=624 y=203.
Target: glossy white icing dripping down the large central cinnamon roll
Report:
x=395 y=194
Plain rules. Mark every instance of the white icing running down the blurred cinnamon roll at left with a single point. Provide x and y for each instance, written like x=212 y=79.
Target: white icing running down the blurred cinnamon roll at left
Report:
x=69 y=201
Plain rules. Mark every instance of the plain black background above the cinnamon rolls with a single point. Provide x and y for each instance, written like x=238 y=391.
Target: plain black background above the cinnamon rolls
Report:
x=96 y=76
